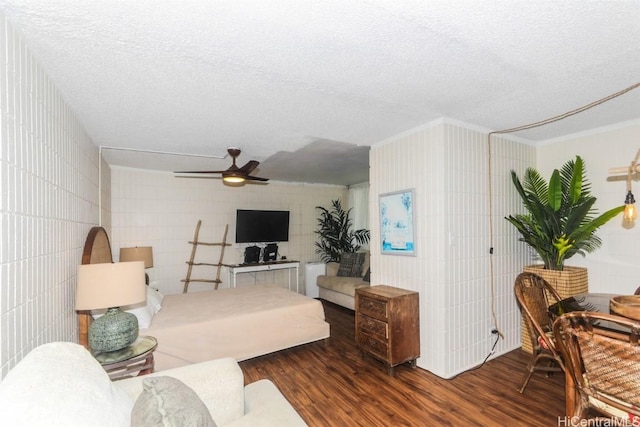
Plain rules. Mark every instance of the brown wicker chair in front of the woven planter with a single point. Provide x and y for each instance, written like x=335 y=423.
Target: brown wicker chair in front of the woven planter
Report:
x=533 y=294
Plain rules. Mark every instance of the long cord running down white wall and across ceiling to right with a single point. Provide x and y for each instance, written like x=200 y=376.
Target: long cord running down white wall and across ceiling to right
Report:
x=490 y=186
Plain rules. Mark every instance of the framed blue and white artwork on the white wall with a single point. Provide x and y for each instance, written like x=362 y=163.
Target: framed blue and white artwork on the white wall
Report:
x=397 y=235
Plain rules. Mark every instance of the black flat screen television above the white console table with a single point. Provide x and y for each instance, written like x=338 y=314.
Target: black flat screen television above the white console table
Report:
x=257 y=226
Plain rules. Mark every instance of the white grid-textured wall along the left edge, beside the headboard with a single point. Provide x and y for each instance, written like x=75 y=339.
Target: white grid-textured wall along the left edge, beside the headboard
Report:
x=48 y=202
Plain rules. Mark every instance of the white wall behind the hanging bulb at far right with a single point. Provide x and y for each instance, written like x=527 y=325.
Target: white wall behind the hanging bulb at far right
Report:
x=614 y=267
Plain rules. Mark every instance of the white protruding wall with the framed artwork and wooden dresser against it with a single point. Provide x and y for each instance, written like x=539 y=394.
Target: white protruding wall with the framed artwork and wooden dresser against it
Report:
x=447 y=166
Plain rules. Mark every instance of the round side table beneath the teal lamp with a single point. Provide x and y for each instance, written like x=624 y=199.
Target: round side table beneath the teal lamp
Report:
x=137 y=359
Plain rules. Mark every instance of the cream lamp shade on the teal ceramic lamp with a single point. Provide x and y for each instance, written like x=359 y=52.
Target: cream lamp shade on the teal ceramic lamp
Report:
x=110 y=285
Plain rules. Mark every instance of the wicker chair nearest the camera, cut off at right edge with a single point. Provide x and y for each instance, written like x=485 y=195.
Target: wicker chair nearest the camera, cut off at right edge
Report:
x=602 y=356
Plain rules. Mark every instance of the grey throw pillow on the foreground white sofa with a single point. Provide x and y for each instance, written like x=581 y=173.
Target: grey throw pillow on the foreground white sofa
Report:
x=167 y=401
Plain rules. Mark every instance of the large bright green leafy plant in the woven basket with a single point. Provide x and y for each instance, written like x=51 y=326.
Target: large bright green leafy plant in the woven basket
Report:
x=561 y=220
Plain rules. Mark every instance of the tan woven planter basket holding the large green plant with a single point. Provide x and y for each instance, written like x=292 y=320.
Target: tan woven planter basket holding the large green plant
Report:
x=569 y=282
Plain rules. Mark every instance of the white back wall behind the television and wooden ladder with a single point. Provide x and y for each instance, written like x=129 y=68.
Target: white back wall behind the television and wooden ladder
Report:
x=159 y=210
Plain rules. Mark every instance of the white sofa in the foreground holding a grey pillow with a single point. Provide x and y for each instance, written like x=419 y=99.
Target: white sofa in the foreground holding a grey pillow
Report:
x=61 y=384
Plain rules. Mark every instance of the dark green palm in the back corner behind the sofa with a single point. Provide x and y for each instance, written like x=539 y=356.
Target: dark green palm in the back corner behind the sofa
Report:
x=336 y=233
